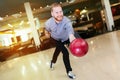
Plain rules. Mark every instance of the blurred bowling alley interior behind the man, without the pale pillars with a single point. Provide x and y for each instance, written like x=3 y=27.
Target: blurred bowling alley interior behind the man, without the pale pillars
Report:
x=16 y=39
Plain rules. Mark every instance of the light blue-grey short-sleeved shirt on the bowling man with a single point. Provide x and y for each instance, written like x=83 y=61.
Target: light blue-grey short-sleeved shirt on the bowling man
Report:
x=59 y=31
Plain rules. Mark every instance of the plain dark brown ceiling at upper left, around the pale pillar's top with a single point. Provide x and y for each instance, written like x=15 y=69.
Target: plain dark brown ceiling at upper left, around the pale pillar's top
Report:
x=8 y=7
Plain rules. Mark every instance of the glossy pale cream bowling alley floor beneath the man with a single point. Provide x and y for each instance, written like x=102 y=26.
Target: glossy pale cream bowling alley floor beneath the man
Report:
x=102 y=62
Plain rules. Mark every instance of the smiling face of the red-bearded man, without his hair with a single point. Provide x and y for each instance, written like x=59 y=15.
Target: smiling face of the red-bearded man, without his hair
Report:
x=57 y=13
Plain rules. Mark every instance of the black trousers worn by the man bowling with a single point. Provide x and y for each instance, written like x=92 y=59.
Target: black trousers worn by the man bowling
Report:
x=61 y=48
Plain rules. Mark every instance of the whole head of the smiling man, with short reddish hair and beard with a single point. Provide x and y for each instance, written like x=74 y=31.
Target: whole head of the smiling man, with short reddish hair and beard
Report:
x=57 y=12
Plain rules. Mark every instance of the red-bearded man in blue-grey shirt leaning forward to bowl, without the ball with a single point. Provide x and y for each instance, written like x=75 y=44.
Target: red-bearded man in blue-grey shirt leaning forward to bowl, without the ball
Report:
x=60 y=29
